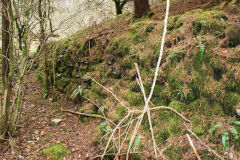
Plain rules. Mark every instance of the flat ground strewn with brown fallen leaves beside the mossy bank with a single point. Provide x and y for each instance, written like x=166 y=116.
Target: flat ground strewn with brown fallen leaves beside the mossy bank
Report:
x=36 y=133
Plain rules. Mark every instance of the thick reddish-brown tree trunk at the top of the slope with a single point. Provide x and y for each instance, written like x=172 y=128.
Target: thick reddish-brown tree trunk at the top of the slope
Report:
x=141 y=7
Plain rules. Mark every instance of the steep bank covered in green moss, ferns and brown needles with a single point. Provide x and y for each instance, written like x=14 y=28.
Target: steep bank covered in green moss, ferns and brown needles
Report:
x=200 y=76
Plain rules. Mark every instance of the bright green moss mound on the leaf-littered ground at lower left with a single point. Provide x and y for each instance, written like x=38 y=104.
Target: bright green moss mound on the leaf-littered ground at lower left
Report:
x=56 y=151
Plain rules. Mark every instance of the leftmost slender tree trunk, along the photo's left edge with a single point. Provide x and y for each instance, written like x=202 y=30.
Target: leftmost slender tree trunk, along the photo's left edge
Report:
x=6 y=46
